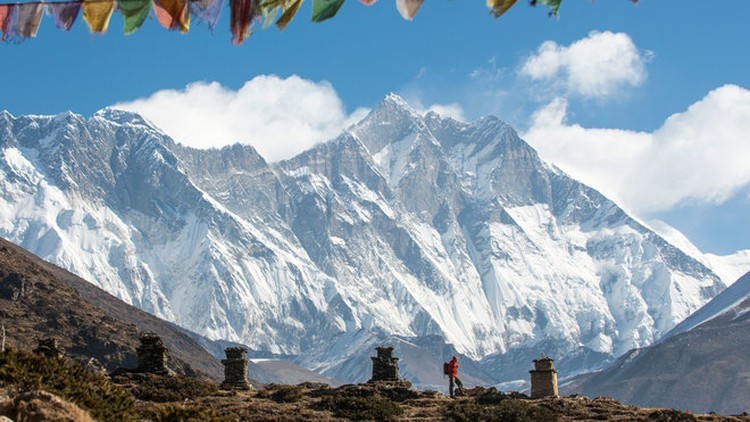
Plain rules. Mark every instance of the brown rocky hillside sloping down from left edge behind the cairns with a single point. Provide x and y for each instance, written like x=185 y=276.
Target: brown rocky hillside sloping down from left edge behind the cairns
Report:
x=39 y=300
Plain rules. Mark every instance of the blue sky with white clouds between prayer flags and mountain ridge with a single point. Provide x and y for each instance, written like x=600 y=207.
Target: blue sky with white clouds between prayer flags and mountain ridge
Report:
x=660 y=125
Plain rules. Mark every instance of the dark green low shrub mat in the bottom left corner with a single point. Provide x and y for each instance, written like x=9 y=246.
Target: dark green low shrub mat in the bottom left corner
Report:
x=26 y=371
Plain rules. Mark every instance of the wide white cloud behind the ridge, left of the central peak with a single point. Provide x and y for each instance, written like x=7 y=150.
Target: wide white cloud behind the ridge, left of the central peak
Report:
x=279 y=117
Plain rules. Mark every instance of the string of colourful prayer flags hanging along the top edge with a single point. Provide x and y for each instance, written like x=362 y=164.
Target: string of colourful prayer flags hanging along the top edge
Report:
x=19 y=21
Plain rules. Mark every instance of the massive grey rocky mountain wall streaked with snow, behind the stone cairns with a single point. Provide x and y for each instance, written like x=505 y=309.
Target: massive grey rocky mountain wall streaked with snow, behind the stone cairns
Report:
x=405 y=226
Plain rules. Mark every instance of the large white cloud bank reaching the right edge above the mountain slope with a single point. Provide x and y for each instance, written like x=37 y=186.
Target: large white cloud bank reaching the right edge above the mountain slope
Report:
x=698 y=155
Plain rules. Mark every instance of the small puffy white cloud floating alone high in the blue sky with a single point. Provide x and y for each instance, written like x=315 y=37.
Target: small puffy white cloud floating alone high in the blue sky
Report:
x=597 y=66
